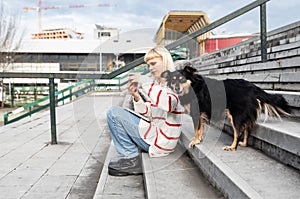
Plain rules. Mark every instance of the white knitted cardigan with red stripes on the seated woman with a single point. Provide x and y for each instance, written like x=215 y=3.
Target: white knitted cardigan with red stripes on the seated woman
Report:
x=165 y=112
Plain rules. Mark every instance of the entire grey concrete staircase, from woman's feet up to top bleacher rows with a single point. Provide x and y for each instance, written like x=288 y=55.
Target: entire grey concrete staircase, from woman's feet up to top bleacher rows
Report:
x=268 y=168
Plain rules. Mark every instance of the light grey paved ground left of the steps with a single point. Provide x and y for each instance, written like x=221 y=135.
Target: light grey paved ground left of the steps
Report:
x=30 y=167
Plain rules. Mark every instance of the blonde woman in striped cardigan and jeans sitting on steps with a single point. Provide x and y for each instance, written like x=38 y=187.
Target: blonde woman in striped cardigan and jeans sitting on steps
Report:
x=157 y=137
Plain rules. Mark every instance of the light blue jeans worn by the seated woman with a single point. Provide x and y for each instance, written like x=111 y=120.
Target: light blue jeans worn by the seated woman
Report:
x=125 y=132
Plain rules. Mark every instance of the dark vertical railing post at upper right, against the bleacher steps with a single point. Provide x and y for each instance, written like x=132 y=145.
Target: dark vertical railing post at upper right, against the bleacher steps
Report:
x=263 y=32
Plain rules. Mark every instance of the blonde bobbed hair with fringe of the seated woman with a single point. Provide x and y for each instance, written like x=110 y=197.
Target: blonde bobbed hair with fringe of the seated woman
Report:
x=163 y=53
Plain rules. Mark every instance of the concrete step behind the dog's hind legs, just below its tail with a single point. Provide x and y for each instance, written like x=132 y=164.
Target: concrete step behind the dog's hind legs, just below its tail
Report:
x=277 y=138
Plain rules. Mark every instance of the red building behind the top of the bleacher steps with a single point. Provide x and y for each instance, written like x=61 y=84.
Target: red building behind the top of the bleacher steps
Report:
x=219 y=42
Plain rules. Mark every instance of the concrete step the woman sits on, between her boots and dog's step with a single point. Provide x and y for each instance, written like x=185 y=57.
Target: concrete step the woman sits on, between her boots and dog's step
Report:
x=175 y=176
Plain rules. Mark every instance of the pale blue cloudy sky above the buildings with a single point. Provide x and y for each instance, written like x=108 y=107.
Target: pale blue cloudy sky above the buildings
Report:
x=129 y=15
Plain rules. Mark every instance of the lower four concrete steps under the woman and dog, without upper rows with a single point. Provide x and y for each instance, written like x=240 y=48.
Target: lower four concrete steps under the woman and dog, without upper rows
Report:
x=207 y=171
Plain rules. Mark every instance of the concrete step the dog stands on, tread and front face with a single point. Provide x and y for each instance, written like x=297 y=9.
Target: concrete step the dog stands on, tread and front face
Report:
x=245 y=173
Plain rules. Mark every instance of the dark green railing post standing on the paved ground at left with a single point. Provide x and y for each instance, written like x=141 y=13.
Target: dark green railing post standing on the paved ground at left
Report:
x=52 y=110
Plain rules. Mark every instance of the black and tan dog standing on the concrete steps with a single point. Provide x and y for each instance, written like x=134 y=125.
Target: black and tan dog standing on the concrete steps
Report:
x=207 y=99
